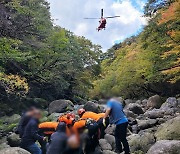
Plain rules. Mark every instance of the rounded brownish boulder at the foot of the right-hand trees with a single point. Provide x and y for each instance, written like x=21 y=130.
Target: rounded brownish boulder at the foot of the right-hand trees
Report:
x=154 y=102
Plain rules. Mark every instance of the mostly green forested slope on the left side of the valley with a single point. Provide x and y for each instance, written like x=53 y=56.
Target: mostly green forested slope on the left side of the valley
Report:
x=40 y=62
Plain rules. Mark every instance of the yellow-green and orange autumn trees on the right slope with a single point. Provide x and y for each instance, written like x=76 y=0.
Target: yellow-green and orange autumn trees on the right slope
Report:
x=146 y=64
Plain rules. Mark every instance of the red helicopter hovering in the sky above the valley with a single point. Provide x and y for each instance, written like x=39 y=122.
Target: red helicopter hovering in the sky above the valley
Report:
x=102 y=21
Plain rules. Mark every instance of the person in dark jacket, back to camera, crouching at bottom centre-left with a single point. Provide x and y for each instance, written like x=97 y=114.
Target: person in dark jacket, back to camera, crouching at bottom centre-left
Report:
x=58 y=140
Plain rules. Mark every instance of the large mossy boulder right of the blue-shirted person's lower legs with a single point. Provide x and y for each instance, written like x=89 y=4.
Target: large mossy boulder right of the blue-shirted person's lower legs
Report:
x=141 y=141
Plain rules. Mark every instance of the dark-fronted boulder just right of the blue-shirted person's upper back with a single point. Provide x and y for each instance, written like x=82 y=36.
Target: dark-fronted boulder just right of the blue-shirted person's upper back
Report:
x=135 y=108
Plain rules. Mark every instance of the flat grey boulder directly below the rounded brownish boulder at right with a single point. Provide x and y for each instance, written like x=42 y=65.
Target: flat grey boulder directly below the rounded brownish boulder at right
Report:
x=155 y=113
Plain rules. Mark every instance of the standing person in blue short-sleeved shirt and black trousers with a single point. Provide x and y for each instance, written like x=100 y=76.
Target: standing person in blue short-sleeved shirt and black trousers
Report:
x=116 y=116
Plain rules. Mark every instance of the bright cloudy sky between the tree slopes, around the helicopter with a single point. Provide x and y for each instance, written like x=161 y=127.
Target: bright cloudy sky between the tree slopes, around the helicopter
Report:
x=70 y=14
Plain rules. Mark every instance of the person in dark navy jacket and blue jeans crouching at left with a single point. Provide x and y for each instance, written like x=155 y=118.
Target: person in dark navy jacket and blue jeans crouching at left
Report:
x=30 y=135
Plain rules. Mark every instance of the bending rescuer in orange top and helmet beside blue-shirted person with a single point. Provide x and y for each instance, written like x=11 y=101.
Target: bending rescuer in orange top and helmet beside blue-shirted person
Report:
x=97 y=117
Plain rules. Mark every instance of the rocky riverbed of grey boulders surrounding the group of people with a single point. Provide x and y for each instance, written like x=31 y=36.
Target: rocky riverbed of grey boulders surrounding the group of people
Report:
x=154 y=125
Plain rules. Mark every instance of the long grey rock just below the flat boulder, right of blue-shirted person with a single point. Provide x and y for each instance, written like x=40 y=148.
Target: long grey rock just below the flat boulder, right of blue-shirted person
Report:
x=144 y=124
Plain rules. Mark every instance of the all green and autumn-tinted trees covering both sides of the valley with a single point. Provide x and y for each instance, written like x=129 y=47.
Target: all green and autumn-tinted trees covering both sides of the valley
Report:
x=41 y=62
